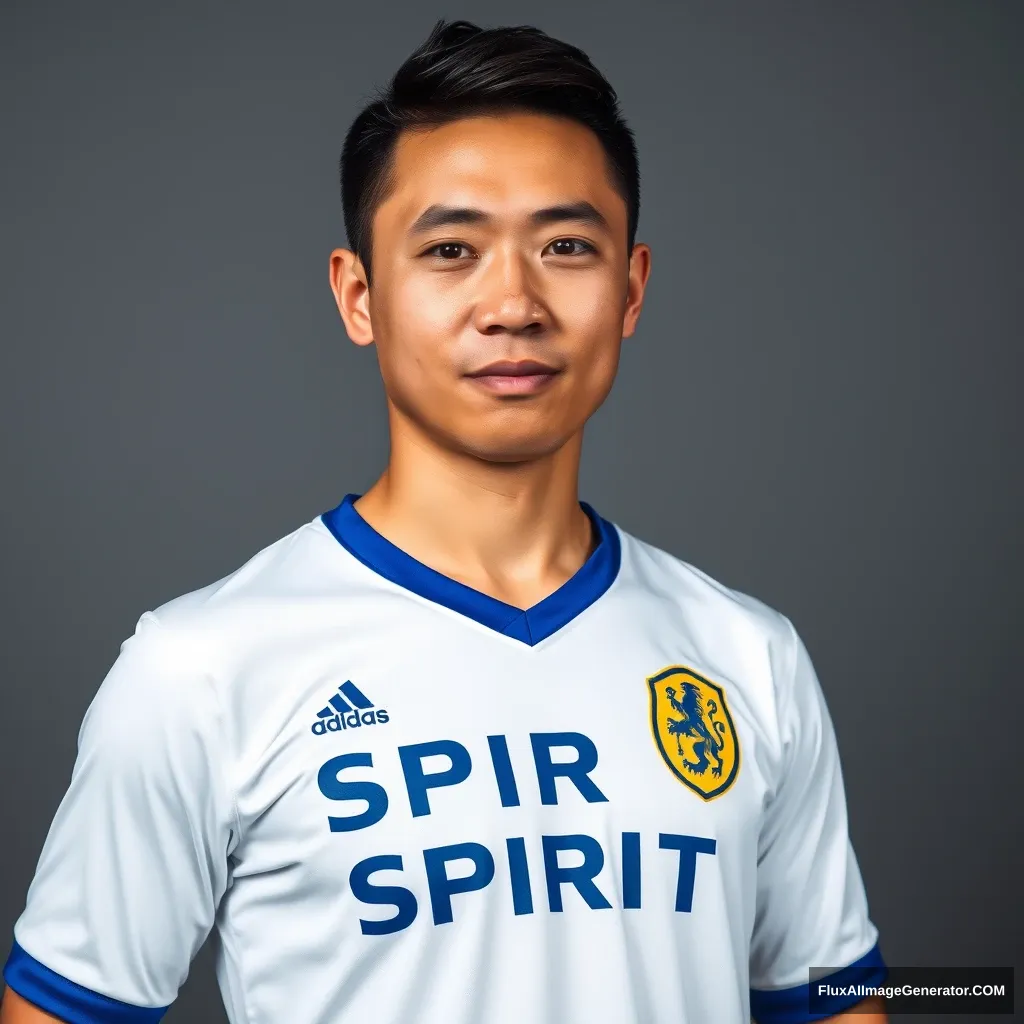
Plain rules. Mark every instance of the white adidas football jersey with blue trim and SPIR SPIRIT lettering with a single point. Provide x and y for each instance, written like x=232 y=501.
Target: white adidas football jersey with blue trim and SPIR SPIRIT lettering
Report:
x=399 y=800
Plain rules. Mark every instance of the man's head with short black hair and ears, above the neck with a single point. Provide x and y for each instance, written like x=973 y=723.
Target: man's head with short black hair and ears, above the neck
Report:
x=491 y=199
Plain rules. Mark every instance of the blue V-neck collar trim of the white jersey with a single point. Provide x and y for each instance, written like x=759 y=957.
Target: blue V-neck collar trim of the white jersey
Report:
x=530 y=626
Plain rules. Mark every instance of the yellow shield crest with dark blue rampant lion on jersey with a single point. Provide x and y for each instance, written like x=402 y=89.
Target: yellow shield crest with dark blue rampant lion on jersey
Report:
x=694 y=731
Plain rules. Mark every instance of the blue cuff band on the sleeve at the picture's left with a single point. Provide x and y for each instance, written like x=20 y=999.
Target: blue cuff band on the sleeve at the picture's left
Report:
x=68 y=1000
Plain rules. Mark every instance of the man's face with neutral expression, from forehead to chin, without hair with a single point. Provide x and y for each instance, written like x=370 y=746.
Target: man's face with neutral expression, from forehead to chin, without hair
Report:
x=502 y=286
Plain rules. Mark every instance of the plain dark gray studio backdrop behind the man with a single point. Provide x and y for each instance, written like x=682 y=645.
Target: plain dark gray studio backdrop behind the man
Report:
x=822 y=406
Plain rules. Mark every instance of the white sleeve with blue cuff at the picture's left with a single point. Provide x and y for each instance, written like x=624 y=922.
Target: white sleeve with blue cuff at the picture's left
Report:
x=137 y=860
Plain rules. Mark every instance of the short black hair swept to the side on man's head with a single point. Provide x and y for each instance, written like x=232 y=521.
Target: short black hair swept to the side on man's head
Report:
x=460 y=71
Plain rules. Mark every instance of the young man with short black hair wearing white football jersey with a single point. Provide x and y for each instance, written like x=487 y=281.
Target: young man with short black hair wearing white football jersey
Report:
x=460 y=750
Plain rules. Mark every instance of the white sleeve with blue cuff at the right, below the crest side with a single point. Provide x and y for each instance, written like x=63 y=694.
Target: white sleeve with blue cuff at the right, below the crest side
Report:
x=812 y=906
